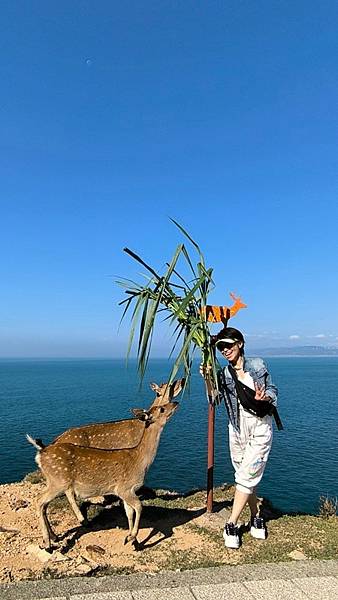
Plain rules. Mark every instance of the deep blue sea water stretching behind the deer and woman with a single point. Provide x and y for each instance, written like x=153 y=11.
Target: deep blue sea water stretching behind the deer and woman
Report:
x=45 y=397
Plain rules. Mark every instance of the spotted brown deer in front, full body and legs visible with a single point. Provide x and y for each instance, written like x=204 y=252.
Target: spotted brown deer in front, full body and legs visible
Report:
x=86 y=472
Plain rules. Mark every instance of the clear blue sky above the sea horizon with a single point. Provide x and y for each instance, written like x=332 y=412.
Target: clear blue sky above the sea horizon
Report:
x=116 y=116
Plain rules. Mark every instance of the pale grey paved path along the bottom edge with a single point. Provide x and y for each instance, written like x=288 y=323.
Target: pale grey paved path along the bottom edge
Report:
x=317 y=580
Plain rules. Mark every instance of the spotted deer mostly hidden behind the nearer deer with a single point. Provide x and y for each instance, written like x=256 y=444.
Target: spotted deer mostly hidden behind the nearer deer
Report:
x=118 y=434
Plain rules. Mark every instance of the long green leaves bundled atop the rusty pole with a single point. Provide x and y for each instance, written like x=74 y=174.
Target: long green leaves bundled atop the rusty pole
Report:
x=180 y=299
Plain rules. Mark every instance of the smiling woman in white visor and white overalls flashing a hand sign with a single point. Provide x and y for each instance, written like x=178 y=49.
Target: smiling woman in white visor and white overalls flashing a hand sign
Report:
x=250 y=398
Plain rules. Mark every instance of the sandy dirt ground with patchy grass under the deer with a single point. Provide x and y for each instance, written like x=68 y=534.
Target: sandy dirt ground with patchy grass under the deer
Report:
x=175 y=533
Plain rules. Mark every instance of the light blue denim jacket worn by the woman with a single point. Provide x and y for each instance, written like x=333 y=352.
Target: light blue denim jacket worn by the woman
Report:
x=260 y=375
